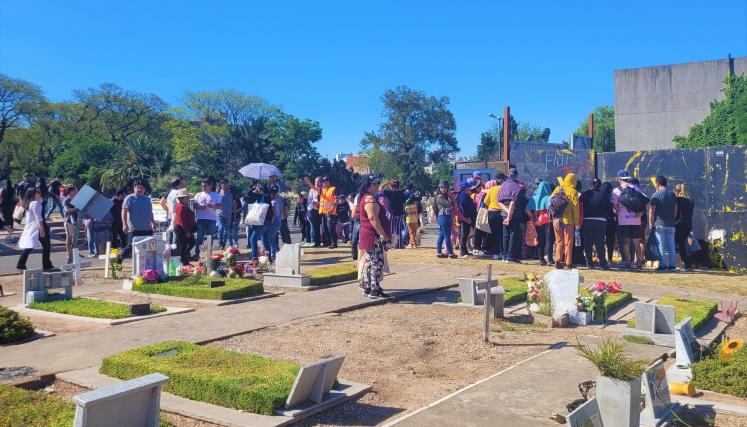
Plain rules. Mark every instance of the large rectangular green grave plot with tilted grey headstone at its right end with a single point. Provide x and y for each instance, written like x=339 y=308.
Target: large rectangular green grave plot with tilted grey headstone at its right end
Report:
x=221 y=377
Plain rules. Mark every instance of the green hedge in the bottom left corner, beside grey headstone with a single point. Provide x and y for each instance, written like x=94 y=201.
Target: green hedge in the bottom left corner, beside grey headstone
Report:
x=27 y=408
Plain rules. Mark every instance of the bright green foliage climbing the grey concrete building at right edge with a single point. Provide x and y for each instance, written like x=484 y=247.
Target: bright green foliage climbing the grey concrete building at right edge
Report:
x=727 y=122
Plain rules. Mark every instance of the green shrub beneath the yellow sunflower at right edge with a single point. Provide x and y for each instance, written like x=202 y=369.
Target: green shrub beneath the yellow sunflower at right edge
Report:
x=728 y=377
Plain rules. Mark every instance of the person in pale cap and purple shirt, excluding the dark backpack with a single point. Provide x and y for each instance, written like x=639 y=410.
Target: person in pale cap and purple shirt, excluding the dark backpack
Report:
x=629 y=223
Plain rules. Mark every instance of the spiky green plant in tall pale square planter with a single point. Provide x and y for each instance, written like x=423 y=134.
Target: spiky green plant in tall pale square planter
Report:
x=618 y=391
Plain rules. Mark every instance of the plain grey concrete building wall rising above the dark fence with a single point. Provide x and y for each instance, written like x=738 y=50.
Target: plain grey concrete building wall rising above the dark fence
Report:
x=654 y=104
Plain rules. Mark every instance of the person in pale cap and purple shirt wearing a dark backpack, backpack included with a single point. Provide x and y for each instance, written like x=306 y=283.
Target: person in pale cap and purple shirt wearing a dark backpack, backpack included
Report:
x=629 y=202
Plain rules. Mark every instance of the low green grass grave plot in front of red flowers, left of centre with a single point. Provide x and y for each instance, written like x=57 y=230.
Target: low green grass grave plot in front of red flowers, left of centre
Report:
x=197 y=287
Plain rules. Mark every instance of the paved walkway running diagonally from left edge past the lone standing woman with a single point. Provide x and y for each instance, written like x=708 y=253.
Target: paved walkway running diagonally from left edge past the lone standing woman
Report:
x=75 y=351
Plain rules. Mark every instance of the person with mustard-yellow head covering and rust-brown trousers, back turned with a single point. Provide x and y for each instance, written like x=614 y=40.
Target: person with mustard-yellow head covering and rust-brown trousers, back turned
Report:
x=565 y=211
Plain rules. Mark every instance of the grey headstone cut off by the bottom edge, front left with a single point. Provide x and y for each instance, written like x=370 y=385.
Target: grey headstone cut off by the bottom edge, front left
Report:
x=131 y=403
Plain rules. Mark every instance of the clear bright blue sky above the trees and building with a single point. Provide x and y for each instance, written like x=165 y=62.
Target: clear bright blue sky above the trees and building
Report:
x=551 y=61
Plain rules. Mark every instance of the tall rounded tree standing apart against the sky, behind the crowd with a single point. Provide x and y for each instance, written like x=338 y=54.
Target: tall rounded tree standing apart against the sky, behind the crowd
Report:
x=417 y=130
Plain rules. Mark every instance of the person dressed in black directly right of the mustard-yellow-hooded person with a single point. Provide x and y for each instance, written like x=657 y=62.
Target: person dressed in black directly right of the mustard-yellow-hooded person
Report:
x=597 y=207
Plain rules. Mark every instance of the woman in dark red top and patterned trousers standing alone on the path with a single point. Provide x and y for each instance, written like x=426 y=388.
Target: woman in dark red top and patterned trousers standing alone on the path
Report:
x=375 y=236
